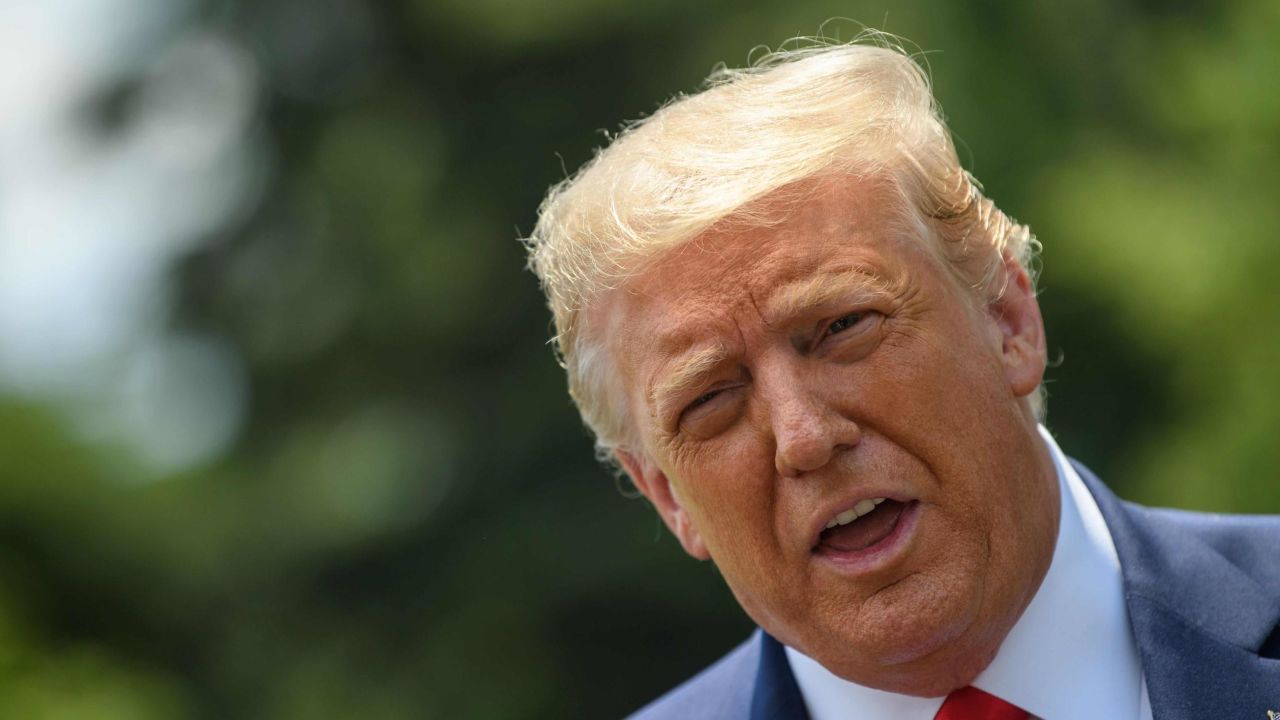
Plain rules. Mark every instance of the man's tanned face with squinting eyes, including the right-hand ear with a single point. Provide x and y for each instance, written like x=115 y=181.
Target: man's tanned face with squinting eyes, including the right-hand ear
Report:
x=780 y=377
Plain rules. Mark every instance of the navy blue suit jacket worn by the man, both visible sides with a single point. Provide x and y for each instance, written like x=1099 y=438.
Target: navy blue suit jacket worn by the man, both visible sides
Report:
x=1204 y=598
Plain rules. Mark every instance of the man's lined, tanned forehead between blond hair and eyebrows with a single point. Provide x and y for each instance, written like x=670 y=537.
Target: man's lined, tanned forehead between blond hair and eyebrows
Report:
x=828 y=229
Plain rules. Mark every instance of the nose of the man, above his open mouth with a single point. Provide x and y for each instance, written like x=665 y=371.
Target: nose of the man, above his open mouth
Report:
x=808 y=429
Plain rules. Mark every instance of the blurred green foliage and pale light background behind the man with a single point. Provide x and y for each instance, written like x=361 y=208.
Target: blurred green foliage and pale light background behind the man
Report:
x=281 y=436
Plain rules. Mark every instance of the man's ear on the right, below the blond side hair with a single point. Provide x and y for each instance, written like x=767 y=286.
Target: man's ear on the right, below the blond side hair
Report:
x=1017 y=315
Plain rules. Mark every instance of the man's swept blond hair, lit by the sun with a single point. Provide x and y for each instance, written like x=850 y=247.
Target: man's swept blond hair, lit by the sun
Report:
x=861 y=110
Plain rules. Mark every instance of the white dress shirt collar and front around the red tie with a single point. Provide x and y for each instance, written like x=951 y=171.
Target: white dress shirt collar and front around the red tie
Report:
x=1071 y=657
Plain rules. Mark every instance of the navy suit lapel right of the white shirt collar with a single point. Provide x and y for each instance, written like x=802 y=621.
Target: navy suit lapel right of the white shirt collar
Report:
x=1199 y=619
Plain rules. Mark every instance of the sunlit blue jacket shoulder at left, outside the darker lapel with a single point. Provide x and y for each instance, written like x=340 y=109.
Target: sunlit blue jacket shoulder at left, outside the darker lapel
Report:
x=720 y=692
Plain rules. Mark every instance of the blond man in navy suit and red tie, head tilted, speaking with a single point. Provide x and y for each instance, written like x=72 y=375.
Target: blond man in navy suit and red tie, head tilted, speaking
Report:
x=796 y=322
